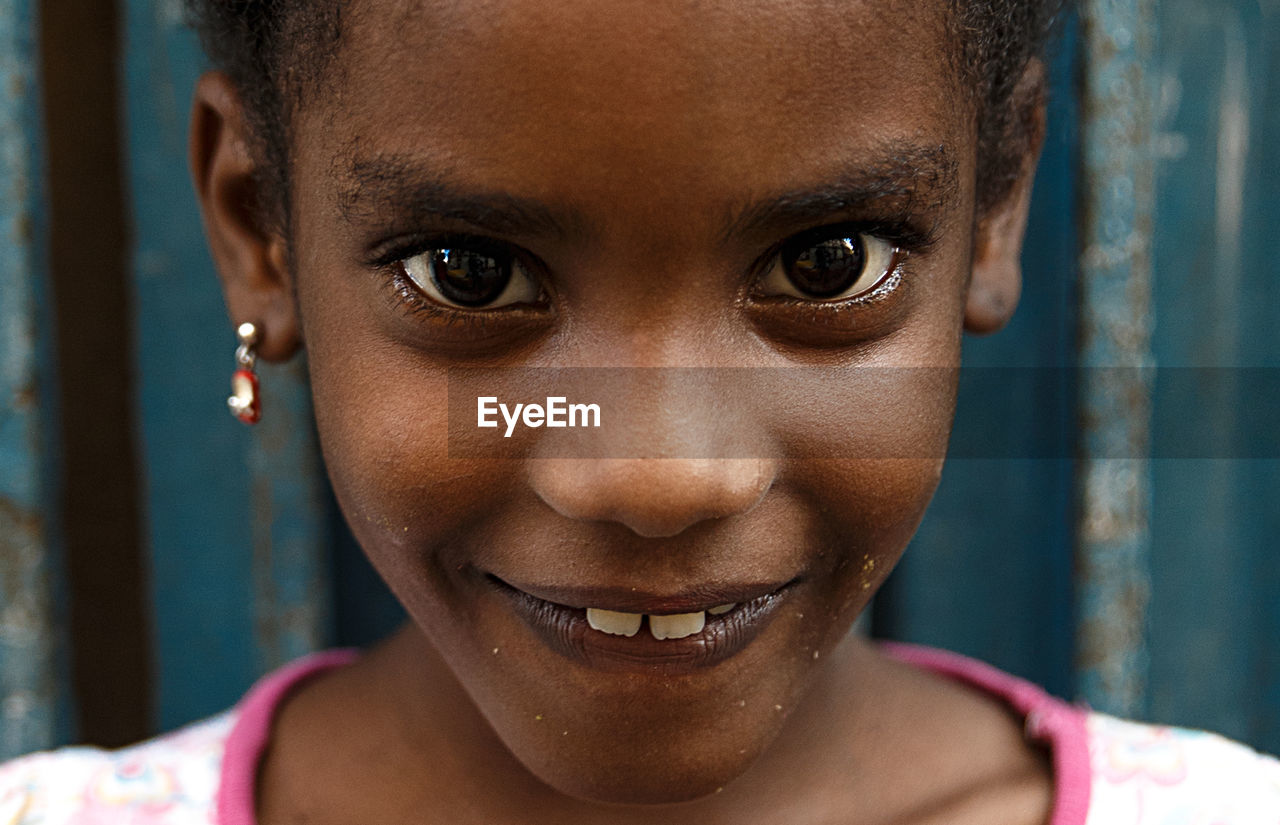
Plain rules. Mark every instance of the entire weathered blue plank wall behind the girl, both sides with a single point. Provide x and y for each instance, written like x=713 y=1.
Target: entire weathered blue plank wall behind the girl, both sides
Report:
x=1054 y=549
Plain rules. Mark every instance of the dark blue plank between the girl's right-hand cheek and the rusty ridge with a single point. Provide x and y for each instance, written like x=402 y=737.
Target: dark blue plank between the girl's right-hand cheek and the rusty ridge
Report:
x=990 y=570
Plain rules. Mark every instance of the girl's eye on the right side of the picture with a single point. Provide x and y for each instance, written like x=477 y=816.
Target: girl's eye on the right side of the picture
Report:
x=826 y=265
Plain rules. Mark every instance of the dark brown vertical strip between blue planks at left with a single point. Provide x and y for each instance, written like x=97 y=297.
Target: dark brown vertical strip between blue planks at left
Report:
x=108 y=622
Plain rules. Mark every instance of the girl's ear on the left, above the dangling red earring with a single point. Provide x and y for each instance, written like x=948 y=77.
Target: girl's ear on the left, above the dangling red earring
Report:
x=249 y=250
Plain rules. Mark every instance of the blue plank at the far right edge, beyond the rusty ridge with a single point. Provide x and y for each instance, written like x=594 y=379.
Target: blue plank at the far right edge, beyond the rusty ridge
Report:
x=1217 y=576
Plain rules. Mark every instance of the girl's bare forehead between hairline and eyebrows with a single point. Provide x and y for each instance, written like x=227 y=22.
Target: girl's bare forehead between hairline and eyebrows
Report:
x=682 y=100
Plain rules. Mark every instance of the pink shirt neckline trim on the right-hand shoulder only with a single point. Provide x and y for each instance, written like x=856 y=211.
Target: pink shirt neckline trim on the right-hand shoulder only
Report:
x=1049 y=719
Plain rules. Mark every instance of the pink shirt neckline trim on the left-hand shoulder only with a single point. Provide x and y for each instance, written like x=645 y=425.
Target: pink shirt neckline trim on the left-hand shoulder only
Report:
x=237 y=791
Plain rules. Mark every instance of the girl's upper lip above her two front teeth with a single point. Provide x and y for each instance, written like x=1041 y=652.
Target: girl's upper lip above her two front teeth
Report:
x=647 y=602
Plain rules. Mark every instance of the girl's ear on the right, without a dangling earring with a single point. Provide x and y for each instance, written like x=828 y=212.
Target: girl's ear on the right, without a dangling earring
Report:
x=996 y=282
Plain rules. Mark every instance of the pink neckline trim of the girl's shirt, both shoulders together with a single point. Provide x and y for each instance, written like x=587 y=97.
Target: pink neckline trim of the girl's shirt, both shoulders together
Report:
x=1050 y=721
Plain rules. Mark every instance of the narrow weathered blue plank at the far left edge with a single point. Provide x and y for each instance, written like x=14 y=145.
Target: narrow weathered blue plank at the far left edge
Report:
x=34 y=711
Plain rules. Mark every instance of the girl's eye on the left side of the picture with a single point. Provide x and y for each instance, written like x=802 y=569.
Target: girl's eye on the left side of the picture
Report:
x=474 y=276
